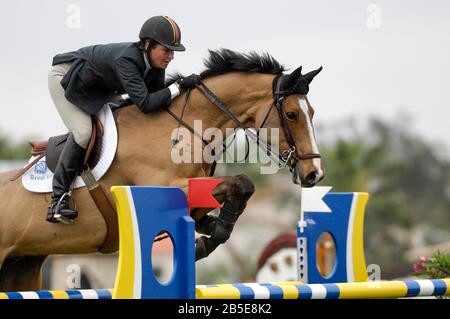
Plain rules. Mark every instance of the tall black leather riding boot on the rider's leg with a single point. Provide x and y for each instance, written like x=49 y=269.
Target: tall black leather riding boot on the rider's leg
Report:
x=68 y=167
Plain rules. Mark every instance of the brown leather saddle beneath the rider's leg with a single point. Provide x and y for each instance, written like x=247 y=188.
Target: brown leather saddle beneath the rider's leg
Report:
x=53 y=147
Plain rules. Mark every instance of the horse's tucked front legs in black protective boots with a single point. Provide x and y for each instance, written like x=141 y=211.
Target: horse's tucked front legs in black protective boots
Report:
x=233 y=192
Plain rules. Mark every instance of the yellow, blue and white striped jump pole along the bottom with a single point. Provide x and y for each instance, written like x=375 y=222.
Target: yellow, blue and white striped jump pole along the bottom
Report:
x=279 y=290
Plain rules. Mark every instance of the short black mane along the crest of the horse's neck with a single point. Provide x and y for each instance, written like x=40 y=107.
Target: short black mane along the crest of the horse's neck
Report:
x=224 y=60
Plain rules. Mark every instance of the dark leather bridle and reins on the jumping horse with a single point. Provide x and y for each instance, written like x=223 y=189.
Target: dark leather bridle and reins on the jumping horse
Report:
x=288 y=157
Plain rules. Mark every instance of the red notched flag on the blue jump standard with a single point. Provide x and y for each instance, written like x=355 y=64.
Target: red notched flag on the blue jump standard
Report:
x=199 y=193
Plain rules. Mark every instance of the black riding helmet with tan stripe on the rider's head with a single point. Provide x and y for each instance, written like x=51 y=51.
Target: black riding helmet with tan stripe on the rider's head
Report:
x=163 y=30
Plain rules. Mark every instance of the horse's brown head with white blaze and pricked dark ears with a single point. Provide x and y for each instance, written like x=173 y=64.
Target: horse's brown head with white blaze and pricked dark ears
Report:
x=297 y=145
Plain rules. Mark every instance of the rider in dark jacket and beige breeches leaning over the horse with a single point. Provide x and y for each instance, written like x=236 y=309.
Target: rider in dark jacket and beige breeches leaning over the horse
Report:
x=81 y=82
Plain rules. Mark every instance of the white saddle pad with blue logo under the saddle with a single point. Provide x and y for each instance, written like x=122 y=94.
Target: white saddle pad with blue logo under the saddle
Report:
x=38 y=178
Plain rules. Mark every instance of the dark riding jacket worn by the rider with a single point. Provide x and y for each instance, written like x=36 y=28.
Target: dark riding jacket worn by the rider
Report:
x=101 y=70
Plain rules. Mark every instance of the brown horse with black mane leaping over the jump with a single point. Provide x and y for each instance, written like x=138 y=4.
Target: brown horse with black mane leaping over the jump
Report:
x=250 y=87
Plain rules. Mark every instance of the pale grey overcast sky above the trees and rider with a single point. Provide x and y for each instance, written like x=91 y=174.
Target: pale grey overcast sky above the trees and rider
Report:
x=379 y=57
